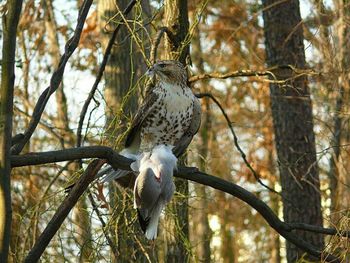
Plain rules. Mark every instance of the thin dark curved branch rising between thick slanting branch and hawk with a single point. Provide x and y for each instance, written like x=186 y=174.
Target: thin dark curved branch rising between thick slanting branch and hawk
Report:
x=100 y=73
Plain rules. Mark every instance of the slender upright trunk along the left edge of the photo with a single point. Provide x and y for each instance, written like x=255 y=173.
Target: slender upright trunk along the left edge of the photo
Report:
x=9 y=22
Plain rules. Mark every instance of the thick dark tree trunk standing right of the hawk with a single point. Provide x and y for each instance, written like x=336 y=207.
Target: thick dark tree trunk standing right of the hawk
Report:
x=292 y=118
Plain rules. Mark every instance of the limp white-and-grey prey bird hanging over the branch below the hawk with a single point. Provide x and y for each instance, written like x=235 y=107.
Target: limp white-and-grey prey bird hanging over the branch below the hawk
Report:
x=154 y=186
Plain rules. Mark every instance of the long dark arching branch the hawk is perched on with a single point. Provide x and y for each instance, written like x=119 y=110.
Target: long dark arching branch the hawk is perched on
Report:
x=118 y=161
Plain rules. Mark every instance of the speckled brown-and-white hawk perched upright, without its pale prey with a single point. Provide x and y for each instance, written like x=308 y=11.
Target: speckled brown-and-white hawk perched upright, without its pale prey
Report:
x=169 y=115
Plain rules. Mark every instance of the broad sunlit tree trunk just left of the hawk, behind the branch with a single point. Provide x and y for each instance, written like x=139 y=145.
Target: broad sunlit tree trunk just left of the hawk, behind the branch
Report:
x=119 y=78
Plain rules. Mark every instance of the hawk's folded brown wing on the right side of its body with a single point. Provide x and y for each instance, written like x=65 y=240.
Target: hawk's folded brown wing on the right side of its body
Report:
x=182 y=144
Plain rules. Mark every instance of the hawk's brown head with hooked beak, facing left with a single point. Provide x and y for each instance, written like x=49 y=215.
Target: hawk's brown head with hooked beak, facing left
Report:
x=170 y=71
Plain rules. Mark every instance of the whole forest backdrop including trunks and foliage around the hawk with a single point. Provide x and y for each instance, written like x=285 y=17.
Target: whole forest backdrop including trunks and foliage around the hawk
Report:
x=273 y=78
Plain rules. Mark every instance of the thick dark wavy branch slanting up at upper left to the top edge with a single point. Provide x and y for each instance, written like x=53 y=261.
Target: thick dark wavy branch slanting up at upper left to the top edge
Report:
x=56 y=78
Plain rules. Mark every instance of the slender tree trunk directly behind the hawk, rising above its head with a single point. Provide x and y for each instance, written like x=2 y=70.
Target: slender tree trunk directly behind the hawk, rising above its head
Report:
x=176 y=19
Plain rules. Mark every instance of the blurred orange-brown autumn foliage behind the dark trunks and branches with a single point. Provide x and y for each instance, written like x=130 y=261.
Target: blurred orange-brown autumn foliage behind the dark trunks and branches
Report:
x=228 y=36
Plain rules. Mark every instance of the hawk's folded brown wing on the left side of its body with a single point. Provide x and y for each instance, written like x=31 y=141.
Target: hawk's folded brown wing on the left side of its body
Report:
x=133 y=139
